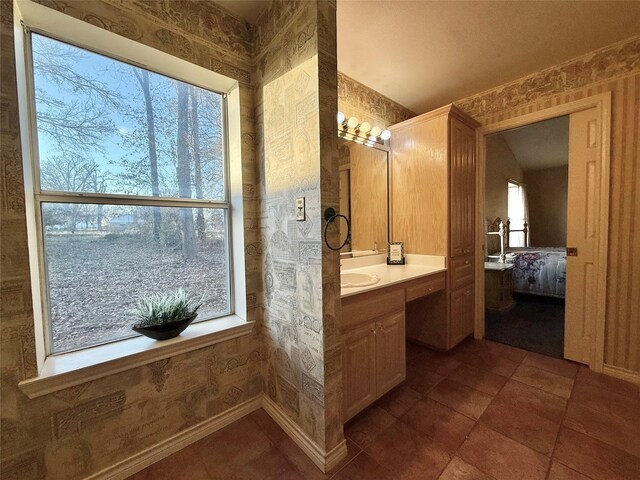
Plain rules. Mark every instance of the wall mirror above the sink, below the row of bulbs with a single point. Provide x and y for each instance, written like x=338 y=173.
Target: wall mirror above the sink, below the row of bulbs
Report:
x=364 y=196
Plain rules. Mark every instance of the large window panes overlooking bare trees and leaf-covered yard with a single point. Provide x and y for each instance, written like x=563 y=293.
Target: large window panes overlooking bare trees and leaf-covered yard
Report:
x=130 y=192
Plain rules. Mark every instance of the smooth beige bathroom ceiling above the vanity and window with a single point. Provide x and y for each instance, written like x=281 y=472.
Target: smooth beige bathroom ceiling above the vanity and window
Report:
x=425 y=54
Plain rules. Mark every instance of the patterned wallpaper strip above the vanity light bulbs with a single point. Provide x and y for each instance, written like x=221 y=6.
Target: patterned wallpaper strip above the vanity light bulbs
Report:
x=367 y=105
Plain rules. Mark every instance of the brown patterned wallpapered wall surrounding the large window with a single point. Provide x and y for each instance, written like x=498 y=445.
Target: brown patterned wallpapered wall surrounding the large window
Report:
x=81 y=430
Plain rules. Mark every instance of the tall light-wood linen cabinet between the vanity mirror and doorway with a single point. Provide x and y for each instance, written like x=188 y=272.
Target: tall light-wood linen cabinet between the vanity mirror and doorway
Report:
x=433 y=178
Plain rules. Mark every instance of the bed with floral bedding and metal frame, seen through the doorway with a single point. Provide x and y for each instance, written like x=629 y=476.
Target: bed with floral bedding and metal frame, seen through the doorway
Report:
x=537 y=270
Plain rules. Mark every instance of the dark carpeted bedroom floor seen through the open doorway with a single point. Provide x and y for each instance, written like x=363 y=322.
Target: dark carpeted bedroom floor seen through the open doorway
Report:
x=534 y=323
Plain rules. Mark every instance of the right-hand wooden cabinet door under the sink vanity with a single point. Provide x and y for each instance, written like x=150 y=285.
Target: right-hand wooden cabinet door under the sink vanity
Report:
x=390 y=352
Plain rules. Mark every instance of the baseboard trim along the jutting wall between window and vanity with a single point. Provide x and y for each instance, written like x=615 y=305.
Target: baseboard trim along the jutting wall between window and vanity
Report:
x=324 y=460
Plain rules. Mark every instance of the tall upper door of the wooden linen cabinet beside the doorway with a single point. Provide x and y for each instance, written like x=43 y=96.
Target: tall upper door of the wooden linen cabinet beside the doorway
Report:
x=462 y=170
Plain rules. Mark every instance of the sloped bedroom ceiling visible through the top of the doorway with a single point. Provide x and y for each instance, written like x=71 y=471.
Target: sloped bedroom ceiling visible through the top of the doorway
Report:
x=540 y=145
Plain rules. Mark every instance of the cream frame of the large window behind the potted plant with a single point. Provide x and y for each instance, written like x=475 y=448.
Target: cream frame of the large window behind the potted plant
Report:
x=30 y=17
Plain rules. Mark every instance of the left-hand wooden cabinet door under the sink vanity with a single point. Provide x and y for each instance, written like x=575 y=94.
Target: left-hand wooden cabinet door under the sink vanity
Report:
x=358 y=369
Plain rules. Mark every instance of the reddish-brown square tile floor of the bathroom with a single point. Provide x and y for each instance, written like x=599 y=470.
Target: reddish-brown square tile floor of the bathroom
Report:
x=482 y=411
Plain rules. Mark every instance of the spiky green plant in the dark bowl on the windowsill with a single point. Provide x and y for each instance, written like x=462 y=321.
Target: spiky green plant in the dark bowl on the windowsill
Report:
x=161 y=308
